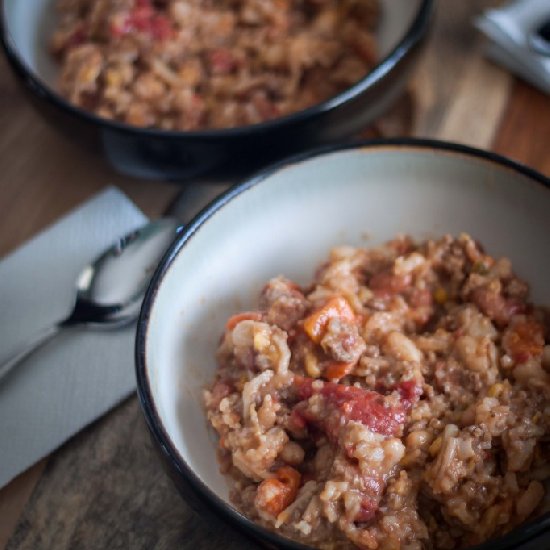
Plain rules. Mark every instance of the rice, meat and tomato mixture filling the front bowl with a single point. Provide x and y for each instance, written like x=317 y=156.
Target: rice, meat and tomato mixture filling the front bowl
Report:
x=399 y=401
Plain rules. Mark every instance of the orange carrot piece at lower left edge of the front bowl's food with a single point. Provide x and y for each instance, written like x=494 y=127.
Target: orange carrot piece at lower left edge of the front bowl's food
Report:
x=277 y=493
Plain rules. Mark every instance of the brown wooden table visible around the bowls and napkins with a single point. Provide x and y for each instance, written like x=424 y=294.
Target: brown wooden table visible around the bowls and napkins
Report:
x=104 y=488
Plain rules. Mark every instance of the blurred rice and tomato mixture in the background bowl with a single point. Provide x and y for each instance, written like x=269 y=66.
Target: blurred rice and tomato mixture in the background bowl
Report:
x=195 y=64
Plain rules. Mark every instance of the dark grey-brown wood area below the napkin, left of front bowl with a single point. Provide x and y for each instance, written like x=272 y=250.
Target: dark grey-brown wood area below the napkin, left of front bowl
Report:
x=105 y=489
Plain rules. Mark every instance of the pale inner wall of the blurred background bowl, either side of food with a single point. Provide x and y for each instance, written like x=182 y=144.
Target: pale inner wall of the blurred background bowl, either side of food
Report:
x=30 y=23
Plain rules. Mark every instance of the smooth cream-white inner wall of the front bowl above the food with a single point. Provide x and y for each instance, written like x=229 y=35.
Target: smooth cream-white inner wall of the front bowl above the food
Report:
x=287 y=223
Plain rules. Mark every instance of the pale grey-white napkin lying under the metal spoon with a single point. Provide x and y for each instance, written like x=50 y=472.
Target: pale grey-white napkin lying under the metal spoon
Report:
x=80 y=374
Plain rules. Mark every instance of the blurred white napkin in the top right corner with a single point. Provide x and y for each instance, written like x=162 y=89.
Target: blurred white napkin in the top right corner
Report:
x=509 y=28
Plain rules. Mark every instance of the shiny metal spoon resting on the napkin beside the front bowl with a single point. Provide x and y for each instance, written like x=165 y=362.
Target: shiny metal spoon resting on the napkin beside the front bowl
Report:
x=109 y=291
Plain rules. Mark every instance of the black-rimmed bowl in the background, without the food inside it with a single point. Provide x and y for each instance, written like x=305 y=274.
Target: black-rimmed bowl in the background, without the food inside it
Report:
x=25 y=26
